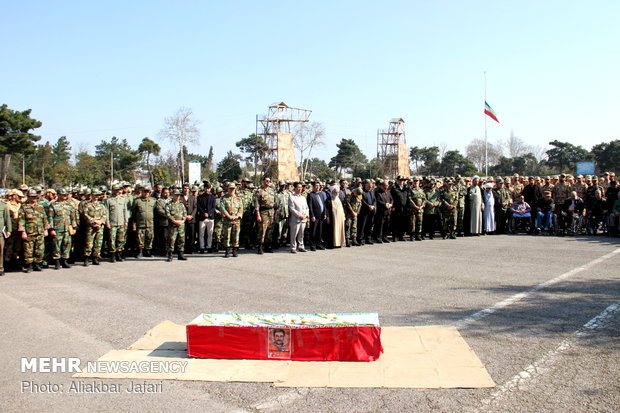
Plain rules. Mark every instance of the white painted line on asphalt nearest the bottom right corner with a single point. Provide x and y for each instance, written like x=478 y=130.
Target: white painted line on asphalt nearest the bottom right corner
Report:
x=544 y=364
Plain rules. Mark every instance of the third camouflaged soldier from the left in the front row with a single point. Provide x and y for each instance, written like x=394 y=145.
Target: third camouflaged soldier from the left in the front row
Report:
x=95 y=220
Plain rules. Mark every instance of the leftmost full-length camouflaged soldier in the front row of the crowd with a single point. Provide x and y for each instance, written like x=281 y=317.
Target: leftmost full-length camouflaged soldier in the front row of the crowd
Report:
x=33 y=227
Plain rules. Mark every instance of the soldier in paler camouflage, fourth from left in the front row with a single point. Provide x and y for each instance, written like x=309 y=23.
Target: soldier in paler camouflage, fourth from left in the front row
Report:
x=117 y=218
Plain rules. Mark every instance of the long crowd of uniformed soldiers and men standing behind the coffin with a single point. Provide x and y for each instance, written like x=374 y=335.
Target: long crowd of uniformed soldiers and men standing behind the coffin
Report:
x=59 y=228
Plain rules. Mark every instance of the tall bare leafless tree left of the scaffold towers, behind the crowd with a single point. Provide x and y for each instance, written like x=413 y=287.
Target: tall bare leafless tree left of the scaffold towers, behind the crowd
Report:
x=181 y=130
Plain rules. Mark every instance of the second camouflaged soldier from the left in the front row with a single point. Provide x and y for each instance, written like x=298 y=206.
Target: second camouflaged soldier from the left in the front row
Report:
x=62 y=219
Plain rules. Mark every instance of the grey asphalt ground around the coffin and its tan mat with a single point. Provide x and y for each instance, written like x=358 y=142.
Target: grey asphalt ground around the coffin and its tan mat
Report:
x=540 y=312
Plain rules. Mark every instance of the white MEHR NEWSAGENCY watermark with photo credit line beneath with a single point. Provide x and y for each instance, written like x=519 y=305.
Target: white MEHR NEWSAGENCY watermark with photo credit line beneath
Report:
x=75 y=365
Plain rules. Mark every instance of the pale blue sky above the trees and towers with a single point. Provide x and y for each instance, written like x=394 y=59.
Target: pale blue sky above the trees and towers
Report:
x=93 y=70
